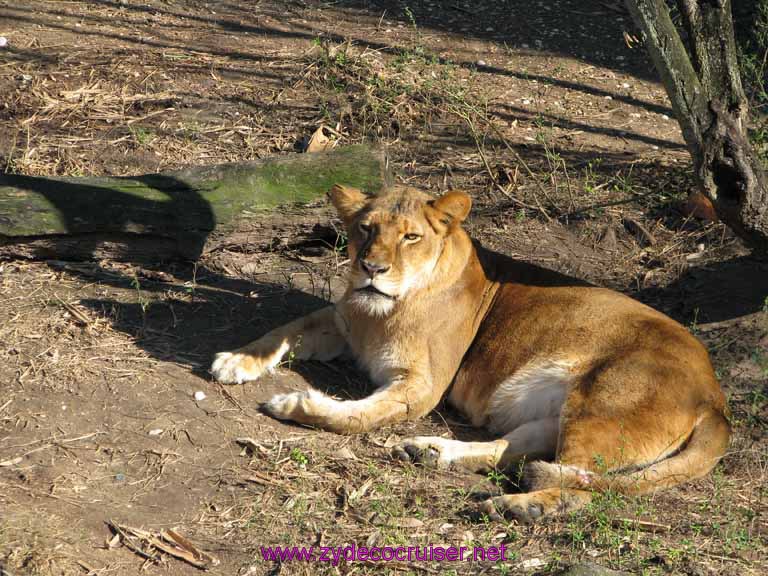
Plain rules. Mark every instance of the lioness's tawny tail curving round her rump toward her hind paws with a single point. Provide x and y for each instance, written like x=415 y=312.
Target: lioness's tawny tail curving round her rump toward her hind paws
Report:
x=704 y=448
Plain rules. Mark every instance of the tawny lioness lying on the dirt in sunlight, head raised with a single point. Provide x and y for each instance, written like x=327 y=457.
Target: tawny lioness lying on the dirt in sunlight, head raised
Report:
x=612 y=393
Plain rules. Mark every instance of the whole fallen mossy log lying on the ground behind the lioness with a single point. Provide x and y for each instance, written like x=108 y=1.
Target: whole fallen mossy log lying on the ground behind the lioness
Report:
x=167 y=216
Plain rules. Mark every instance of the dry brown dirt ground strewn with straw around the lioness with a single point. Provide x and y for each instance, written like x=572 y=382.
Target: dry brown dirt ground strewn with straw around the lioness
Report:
x=546 y=112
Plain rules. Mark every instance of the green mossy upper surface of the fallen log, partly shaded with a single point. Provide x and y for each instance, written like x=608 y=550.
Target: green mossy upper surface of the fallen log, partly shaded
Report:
x=198 y=199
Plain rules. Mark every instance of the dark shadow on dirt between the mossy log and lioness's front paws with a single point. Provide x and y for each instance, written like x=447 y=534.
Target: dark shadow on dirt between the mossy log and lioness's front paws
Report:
x=199 y=314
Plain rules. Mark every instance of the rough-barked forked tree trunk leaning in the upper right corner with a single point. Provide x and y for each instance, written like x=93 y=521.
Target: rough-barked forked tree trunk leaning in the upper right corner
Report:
x=706 y=93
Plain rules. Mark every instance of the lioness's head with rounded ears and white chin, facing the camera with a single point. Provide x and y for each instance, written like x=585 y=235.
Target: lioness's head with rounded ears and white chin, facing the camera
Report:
x=396 y=241
